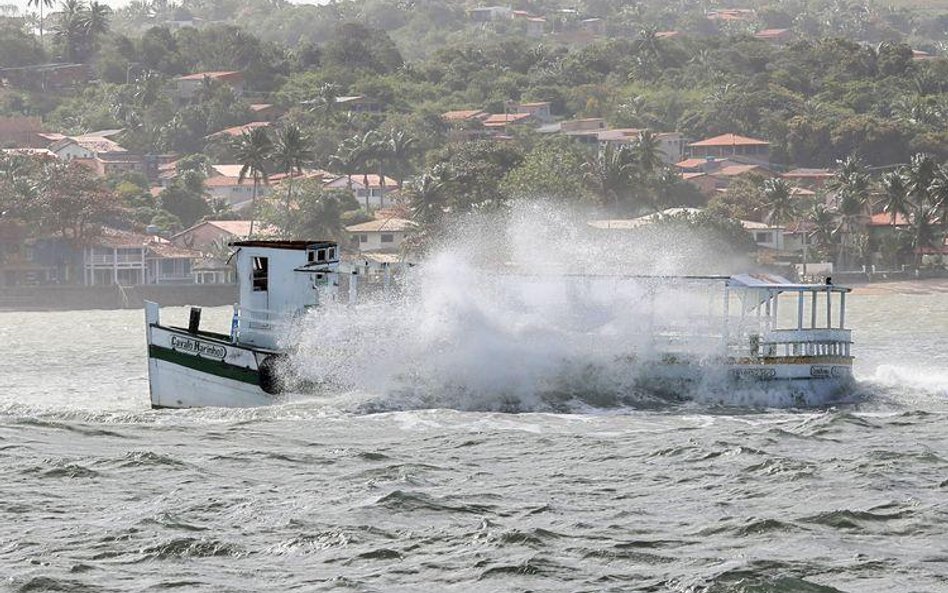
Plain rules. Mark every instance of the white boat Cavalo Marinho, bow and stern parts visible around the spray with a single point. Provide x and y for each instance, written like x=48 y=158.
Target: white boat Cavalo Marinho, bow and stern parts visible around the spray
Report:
x=764 y=332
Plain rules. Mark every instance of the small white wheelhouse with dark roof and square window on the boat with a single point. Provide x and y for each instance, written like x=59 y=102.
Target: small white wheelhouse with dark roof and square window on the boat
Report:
x=277 y=281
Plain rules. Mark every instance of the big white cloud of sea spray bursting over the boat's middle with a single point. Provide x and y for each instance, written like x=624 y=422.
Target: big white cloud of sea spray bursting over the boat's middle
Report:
x=524 y=310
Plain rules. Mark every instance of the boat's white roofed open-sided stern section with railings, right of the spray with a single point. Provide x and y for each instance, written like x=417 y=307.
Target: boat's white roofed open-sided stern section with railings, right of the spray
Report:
x=768 y=334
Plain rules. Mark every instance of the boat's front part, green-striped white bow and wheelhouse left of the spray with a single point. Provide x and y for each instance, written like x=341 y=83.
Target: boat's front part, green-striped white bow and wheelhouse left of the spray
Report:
x=278 y=282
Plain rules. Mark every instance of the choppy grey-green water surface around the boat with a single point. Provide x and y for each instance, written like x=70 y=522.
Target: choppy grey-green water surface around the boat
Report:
x=98 y=493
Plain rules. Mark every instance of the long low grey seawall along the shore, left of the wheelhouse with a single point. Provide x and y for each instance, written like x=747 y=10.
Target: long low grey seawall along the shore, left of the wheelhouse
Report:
x=63 y=298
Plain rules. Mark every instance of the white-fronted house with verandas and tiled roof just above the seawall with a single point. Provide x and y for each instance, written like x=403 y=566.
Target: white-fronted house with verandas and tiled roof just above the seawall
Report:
x=127 y=258
